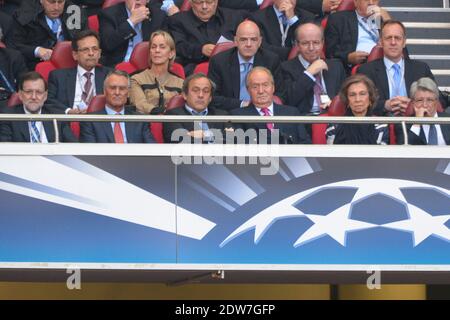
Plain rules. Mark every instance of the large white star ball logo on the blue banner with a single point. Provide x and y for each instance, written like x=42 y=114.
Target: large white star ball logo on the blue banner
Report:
x=339 y=223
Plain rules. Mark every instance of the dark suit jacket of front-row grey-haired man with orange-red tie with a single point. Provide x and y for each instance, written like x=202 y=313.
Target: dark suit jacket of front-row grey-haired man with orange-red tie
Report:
x=102 y=132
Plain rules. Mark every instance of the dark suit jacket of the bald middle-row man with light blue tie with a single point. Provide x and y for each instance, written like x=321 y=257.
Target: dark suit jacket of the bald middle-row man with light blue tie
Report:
x=224 y=70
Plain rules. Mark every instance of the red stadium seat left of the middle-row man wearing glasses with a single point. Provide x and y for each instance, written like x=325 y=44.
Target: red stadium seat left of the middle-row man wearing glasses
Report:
x=61 y=58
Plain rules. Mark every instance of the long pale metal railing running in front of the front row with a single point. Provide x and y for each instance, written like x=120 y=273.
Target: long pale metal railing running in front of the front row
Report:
x=225 y=119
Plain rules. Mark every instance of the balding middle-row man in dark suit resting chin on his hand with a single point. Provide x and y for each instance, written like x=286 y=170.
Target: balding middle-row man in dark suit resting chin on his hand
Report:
x=311 y=82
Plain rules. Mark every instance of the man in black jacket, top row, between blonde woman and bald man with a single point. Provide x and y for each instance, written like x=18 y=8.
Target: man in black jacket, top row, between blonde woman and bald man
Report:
x=197 y=31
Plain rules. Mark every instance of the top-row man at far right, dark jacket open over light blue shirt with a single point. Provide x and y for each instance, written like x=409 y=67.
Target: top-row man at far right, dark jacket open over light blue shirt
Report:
x=351 y=35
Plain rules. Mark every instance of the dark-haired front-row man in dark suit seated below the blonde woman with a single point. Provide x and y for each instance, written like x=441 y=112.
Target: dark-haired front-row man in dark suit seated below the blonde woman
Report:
x=197 y=91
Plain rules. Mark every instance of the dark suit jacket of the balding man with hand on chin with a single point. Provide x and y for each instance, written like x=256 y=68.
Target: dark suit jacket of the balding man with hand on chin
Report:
x=300 y=87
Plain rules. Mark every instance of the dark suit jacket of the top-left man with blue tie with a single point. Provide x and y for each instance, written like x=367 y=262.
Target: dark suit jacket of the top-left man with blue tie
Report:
x=31 y=30
